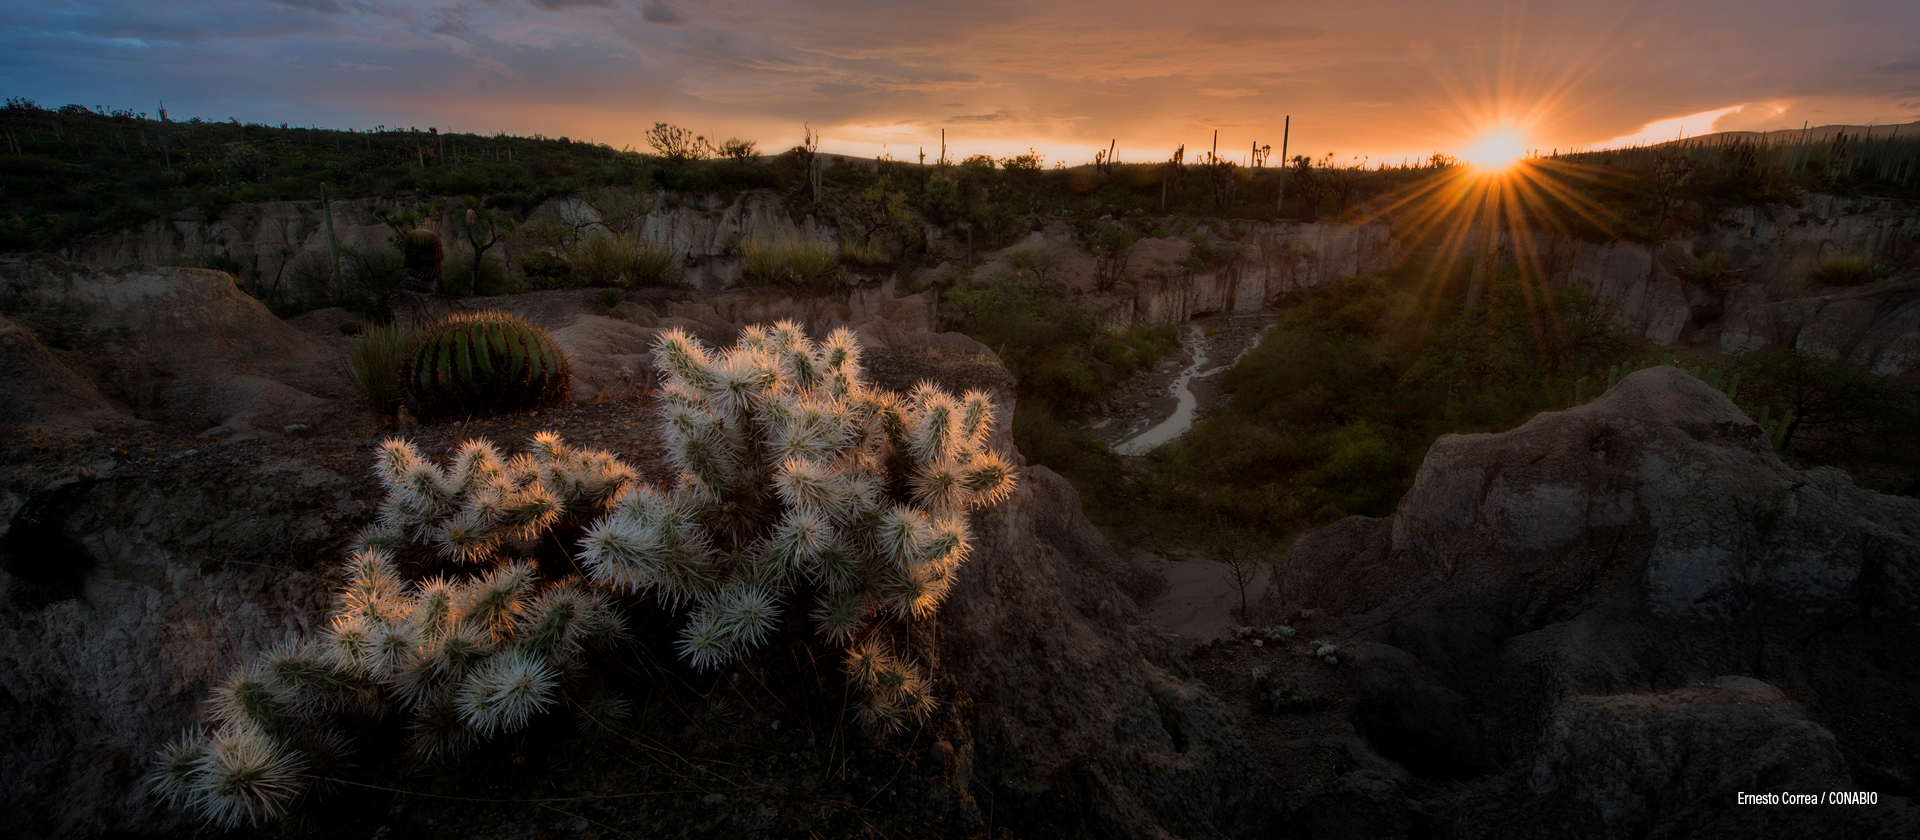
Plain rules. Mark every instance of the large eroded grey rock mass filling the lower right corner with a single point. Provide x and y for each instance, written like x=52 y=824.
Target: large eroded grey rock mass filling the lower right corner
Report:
x=1621 y=609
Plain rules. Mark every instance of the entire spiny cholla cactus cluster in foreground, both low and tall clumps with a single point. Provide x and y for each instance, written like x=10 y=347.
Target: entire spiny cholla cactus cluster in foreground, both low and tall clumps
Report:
x=800 y=486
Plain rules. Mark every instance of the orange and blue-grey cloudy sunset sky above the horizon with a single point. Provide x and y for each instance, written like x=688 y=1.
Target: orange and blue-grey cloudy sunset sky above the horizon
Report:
x=1360 y=78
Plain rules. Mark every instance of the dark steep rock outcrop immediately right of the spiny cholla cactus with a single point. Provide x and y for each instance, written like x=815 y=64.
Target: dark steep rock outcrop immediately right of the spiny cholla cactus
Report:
x=1076 y=728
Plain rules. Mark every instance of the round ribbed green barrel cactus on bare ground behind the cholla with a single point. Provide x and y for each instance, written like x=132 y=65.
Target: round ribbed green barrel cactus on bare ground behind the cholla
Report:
x=483 y=363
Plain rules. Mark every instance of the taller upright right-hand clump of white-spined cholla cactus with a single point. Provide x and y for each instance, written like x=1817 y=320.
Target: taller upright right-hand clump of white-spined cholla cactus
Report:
x=800 y=478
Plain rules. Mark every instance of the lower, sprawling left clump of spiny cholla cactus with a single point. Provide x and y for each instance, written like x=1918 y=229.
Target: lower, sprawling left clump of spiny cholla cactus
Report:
x=468 y=659
